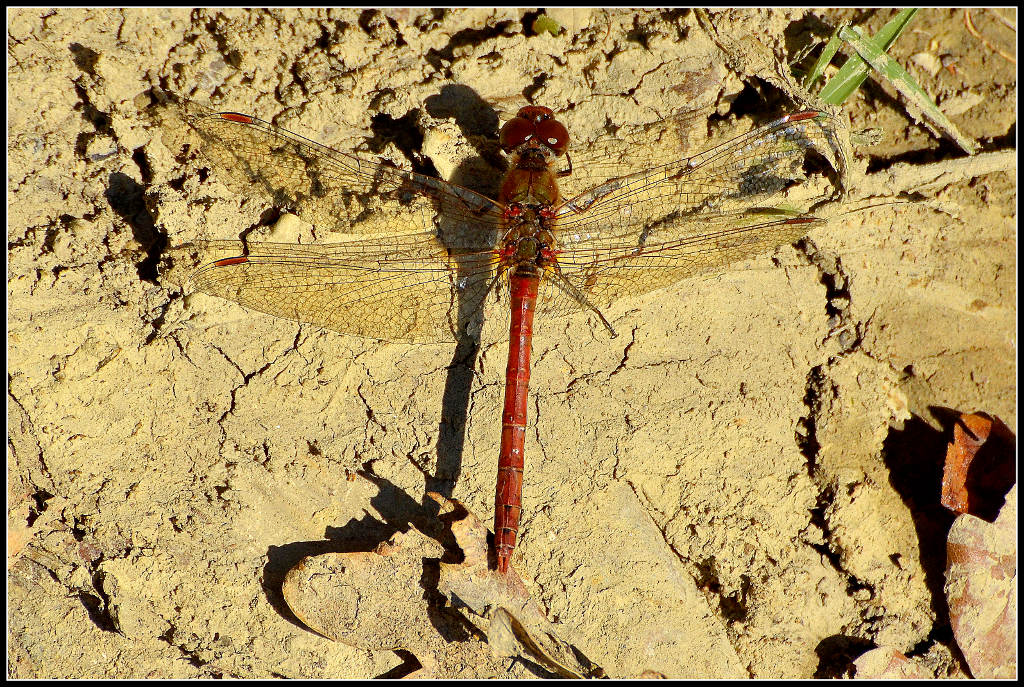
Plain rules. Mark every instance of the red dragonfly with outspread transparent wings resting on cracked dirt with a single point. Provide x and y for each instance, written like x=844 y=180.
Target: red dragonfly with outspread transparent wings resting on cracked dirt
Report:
x=420 y=255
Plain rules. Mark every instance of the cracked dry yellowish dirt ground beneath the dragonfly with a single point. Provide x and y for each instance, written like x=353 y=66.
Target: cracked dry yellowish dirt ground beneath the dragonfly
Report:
x=744 y=484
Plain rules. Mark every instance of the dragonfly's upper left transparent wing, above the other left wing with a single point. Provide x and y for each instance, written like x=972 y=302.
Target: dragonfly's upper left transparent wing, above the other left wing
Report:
x=334 y=191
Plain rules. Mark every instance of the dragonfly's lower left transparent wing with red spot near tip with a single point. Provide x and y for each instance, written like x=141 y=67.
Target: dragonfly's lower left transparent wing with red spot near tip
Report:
x=401 y=288
